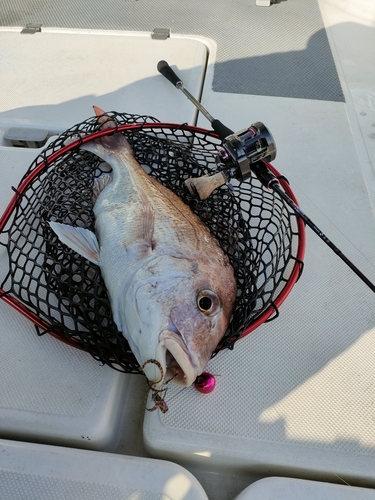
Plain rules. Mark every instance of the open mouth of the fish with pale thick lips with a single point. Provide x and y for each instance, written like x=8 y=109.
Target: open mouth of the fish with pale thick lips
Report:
x=176 y=359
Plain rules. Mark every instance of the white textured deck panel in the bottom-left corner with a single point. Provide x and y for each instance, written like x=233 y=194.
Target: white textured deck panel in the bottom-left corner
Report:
x=38 y=472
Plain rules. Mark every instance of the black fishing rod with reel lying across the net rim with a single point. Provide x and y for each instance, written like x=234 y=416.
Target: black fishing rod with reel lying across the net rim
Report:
x=242 y=153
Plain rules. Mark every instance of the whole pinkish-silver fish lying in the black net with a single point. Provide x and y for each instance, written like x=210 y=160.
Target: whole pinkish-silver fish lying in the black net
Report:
x=170 y=285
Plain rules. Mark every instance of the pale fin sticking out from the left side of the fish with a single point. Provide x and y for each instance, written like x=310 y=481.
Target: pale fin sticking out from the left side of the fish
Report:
x=83 y=241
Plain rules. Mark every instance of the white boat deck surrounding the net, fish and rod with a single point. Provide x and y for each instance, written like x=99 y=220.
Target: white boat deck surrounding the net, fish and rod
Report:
x=295 y=399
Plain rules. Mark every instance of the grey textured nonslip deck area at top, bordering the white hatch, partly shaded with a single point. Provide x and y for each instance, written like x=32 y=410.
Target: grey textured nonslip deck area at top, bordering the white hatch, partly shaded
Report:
x=281 y=50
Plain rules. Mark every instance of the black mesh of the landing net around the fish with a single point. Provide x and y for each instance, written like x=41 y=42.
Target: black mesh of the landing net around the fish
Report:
x=255 y=228
